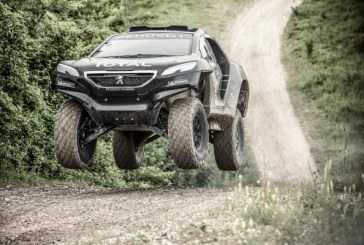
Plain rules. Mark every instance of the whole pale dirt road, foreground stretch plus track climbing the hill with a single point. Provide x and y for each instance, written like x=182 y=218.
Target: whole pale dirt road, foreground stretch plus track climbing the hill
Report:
x=103 y=216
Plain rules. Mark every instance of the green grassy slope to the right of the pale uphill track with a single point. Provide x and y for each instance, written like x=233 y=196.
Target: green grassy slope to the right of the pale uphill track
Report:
x=324 y=53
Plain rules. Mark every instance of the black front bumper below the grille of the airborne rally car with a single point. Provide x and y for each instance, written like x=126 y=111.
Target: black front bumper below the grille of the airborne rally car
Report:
x=136 y=106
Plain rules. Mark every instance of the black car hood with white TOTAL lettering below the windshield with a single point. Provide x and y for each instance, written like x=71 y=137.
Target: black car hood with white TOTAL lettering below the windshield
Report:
x=128 y=64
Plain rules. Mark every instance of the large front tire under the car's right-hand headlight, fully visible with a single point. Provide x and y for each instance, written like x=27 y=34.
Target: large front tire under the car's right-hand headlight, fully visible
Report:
x=182 y=144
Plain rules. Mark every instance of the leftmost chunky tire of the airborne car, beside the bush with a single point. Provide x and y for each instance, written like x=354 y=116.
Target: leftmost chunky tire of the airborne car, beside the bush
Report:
x=69 y=152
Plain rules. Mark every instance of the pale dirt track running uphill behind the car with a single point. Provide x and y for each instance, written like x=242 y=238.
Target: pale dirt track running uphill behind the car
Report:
x=275 y=136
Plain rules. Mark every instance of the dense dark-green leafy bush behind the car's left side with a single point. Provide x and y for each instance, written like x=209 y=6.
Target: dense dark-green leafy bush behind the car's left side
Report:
x=36 y=35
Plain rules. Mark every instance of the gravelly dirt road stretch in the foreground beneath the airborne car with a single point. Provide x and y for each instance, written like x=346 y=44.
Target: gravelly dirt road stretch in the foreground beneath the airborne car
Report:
x=82 y=215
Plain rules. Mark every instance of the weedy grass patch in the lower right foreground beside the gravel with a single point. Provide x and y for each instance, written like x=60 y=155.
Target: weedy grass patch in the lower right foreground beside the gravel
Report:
x=297 y=216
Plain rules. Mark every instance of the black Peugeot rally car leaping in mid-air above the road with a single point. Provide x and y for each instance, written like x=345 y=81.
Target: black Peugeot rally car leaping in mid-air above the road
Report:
x=149 y=82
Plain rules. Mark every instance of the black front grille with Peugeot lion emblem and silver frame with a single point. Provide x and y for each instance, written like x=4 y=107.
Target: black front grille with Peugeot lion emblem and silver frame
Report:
x=120 y=80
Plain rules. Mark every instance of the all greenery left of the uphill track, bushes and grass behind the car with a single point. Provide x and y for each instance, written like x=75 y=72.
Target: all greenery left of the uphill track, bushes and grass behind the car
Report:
x=35 y=36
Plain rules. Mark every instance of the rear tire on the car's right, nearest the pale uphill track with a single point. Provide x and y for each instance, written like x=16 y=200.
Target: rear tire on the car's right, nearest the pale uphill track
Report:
x=227 y=156
